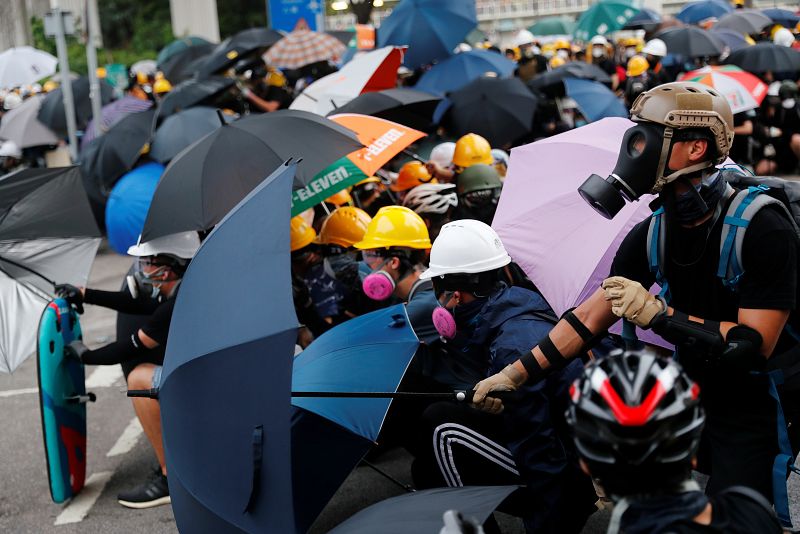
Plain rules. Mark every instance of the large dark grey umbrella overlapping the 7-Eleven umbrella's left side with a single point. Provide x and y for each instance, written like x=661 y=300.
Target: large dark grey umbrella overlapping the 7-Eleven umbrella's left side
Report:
x=208 y=179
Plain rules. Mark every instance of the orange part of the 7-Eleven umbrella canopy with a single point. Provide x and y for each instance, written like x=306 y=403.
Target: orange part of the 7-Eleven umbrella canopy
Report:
x=383 y=139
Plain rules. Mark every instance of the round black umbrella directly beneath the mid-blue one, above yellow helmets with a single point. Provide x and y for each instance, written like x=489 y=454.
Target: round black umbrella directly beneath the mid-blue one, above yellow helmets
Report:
x=499 y=109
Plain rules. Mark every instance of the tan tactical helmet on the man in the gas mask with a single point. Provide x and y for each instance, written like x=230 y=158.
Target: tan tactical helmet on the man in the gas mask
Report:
x=681 y=105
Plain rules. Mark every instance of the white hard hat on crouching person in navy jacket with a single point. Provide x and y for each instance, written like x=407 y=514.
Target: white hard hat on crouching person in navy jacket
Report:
x=466 y=246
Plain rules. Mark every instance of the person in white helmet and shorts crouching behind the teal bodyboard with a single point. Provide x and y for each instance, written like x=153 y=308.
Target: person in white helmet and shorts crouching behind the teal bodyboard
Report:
x=160 y=266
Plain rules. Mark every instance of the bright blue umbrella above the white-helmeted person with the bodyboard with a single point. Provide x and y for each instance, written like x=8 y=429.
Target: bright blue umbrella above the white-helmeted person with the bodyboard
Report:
x=128 y=204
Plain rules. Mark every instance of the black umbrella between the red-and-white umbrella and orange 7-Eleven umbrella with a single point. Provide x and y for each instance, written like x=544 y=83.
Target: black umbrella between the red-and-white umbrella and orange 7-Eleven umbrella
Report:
x=409 y=107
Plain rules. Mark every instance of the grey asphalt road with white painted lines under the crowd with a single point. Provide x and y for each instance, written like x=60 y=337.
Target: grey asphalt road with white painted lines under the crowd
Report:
x=119 y=456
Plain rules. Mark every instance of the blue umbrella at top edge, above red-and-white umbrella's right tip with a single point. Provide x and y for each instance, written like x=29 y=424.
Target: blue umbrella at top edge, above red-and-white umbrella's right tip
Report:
x=430 y=28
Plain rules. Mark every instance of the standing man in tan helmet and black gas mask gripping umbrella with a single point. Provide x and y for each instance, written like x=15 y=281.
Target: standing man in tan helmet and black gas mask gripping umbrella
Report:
x=723 y=337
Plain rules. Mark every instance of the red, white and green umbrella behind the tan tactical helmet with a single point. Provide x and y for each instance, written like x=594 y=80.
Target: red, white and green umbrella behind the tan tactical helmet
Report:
x=743 y=90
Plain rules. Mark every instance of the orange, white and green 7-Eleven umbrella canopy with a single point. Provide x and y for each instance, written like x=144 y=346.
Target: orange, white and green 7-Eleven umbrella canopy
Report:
x=383 y=139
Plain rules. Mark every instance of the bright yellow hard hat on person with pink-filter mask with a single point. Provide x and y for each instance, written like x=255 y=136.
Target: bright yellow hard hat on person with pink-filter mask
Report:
x=395 y=226
